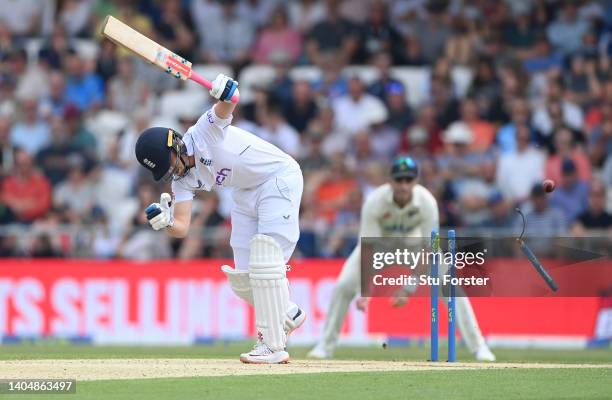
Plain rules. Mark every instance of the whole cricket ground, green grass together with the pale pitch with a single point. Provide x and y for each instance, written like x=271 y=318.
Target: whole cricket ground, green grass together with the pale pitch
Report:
x=214 y=372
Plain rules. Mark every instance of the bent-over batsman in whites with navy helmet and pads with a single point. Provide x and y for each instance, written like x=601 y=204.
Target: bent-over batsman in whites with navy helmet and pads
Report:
x=267 y=190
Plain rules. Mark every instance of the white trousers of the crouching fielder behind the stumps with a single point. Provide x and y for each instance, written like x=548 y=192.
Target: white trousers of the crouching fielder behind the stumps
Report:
x=348 y=286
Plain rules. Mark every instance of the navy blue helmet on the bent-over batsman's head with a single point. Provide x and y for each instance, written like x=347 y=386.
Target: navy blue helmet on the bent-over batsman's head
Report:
x=153 y=150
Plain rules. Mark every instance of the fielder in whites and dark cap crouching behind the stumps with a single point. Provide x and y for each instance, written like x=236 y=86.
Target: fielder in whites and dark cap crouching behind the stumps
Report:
x=400 y=208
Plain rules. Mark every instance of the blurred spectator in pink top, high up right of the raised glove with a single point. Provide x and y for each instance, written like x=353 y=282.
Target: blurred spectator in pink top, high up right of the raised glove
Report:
x=277 y=39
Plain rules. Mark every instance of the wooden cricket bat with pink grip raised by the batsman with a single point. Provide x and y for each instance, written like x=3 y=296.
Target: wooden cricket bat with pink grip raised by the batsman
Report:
x=153 y=52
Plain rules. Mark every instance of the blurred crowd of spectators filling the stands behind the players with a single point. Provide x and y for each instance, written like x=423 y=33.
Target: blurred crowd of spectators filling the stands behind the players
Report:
x=490 y=96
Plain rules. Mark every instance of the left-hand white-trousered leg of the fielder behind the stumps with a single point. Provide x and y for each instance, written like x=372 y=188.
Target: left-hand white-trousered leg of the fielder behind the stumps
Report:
x=345 y=291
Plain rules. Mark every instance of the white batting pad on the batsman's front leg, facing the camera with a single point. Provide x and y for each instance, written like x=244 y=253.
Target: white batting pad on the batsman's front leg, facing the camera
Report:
x=270 y=289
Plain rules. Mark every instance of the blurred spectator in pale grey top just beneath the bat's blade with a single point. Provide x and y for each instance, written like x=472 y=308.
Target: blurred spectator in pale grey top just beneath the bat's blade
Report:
x=126 y=90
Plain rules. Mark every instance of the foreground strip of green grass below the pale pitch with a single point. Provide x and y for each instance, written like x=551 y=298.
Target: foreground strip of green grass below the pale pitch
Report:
x=456 y=385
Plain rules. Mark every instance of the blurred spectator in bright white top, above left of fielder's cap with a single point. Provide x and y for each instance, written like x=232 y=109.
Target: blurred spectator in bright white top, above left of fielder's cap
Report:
x=358 y=110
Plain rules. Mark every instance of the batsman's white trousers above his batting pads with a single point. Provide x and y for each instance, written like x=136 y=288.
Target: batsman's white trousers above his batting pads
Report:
x=271 y=209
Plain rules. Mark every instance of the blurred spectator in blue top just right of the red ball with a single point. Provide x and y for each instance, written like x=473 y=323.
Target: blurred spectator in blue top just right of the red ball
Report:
x=572 y=195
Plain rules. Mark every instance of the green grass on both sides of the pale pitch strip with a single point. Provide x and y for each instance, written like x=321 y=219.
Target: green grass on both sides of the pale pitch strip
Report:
x=573 y=383
